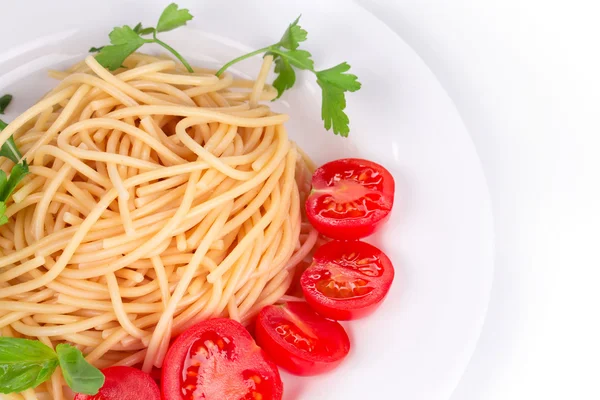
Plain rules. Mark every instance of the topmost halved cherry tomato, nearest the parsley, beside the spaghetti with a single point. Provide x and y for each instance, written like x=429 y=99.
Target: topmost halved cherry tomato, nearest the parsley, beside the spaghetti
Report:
x=350 y=198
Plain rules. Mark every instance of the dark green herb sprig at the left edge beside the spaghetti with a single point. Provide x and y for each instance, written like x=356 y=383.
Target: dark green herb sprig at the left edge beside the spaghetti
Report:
x=9 y=150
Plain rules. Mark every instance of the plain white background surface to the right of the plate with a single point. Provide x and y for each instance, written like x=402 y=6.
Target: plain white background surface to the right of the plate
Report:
x=525 y=76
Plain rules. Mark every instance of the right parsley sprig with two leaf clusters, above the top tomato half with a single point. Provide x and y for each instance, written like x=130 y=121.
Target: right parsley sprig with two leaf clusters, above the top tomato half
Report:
x=334 y=82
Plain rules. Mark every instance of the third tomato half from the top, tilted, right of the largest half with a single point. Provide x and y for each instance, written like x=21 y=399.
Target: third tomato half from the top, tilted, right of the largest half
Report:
x=300 y=340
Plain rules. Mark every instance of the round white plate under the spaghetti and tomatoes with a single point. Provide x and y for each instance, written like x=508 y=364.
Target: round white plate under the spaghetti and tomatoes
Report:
x=418 y=343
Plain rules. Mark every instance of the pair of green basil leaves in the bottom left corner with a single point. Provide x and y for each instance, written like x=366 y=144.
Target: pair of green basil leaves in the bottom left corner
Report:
x=25 y=364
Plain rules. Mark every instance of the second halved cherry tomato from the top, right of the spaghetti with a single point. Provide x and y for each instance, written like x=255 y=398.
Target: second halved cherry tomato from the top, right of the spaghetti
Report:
x=347 y=280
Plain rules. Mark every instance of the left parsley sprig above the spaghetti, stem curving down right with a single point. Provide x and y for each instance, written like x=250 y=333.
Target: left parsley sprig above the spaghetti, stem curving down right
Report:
x=126 y=40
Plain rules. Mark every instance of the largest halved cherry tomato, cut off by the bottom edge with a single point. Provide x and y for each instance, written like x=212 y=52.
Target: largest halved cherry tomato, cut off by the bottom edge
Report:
x=218 y=360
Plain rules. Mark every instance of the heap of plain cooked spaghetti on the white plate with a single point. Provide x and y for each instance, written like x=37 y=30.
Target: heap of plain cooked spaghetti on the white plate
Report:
x=157 y=198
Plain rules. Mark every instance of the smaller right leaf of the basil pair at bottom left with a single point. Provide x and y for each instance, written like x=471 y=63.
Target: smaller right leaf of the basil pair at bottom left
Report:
x=80 y=375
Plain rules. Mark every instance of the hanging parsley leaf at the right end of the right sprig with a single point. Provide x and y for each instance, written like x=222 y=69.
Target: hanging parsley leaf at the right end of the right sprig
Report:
x=334 y=83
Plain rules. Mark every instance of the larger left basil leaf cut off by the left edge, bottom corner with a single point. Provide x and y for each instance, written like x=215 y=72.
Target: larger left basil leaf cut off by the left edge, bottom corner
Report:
x=24 y=364
